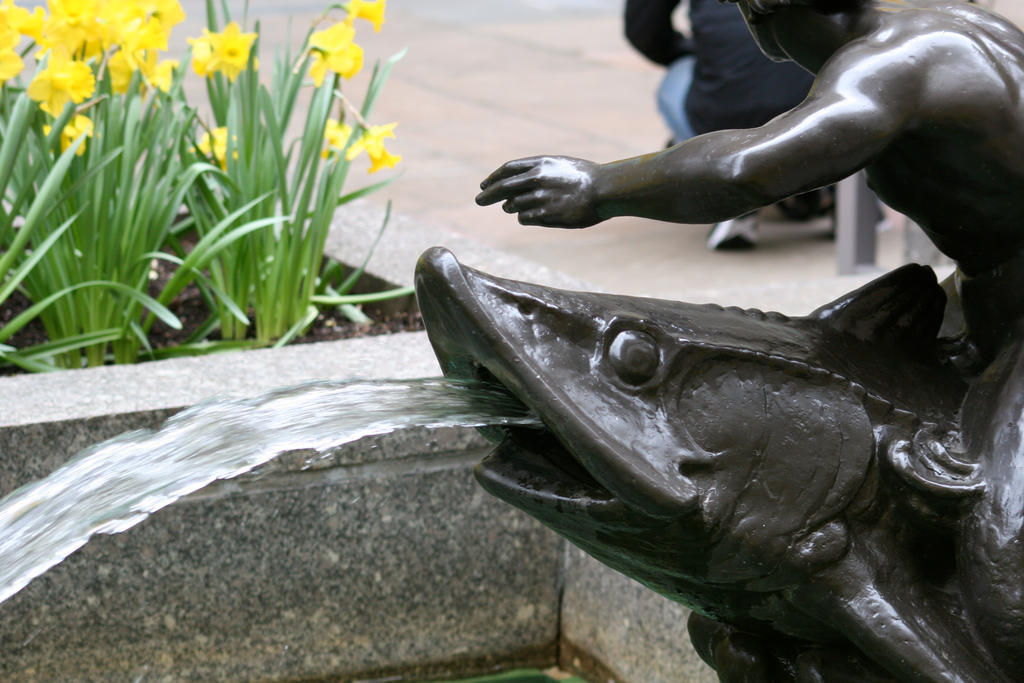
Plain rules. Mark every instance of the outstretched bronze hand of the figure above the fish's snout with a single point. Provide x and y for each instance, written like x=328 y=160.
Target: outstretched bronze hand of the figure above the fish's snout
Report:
x=554 y=192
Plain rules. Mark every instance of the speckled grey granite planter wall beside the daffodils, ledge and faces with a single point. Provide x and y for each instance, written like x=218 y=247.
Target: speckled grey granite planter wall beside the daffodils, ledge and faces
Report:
x=387 y=560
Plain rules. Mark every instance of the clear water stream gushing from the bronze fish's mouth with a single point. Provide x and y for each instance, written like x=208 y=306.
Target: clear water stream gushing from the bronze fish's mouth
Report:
x=114 y=486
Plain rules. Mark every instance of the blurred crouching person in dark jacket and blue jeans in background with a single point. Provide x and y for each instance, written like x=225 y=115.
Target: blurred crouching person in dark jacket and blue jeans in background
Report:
x=719 y=79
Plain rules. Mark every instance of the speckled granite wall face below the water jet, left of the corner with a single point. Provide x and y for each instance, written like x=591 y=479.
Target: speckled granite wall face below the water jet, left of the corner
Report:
x=346 y=572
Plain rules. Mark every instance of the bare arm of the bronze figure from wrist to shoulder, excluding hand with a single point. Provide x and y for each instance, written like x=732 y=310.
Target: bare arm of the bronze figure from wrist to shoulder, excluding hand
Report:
x=728 y=174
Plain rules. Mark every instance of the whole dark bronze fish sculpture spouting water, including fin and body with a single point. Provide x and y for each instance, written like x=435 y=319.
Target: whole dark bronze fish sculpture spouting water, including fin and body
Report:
x=802 y=484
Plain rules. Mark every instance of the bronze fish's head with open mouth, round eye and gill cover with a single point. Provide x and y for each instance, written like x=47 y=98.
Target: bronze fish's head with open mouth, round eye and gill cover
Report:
x=682 y=444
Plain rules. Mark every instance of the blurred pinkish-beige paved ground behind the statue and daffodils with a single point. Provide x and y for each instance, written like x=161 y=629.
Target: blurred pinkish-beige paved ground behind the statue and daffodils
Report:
x=488 y=81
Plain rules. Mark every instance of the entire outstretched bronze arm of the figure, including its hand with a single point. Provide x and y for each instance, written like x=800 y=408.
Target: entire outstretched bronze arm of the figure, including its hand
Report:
x=849 y=119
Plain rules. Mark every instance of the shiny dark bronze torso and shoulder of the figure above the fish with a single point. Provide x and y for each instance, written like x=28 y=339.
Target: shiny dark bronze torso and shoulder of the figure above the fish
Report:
x=957 y=168
